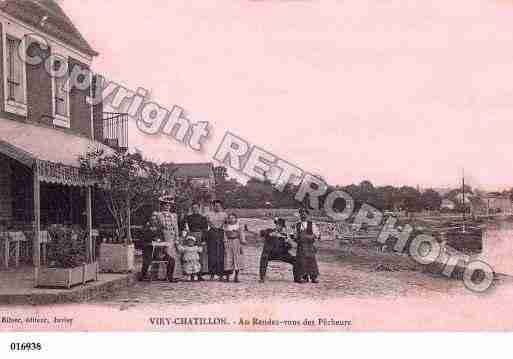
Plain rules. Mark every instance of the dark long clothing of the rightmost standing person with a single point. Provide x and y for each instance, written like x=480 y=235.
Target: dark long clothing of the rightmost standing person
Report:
x=306 y=262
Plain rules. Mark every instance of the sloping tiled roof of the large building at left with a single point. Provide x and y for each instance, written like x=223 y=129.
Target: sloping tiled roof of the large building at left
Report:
x=57 y=23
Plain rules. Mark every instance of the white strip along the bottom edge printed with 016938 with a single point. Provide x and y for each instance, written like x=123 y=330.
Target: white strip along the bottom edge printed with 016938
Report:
x=191 y=345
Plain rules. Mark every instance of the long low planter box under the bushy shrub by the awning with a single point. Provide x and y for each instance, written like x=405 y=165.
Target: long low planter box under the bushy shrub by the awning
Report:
x=66 y=277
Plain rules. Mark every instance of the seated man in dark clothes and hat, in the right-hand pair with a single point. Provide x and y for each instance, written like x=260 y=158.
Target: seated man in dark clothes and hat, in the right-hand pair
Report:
x=276 y=248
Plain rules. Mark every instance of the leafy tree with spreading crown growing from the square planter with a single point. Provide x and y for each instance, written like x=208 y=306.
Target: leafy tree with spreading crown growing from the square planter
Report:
x=127 y=183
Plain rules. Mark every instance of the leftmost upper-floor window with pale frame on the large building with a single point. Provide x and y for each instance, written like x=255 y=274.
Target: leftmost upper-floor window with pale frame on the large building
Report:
x=15 y=84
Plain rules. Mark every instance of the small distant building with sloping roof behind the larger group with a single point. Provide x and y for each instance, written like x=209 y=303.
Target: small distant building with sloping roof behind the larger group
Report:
x=200 y=175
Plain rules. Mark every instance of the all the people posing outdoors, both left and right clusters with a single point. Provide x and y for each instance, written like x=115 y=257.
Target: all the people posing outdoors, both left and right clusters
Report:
x=212 y=245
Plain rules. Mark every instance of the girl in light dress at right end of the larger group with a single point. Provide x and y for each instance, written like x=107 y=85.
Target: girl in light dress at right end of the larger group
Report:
x=233 y=254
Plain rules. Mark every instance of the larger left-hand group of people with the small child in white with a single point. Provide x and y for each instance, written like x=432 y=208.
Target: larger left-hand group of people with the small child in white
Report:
x=206 y=245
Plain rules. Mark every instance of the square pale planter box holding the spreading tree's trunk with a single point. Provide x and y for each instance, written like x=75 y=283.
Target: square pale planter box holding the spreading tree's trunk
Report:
x=117 y=258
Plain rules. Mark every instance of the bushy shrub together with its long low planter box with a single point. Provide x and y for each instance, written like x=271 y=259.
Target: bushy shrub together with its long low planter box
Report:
x=67 y=264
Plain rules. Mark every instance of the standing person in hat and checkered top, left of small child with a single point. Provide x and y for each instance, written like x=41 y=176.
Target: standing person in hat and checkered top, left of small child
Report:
x=169 y=223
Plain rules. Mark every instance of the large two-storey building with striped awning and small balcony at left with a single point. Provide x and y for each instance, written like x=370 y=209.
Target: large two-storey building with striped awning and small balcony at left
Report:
x=44 y=126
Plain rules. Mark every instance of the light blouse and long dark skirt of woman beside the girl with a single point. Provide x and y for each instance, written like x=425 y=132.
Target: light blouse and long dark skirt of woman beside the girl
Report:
x=215 y=242
